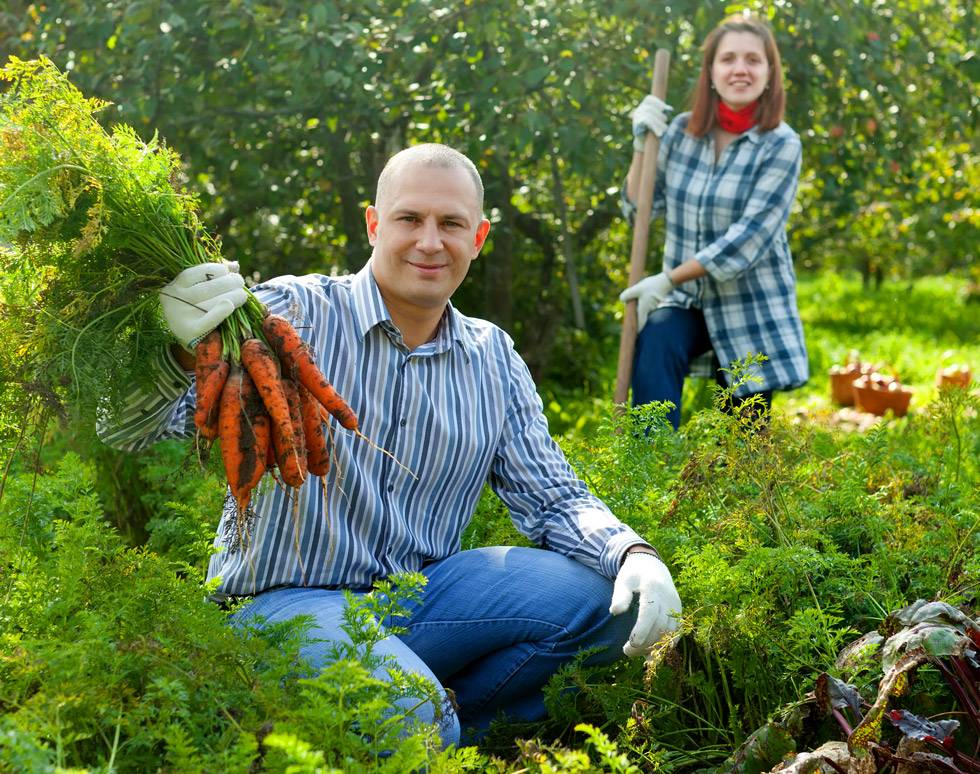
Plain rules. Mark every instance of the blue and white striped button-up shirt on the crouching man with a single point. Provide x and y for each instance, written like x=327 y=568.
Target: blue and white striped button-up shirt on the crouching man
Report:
x=457 y=412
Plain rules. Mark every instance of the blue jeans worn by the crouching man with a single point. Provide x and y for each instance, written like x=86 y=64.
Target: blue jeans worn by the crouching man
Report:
x=493 y=625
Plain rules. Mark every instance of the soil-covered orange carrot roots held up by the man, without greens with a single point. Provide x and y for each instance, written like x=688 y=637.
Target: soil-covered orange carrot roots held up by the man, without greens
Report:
x=269 y=410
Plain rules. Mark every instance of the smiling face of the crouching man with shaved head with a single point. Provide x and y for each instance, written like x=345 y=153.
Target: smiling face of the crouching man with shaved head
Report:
x=425 y=235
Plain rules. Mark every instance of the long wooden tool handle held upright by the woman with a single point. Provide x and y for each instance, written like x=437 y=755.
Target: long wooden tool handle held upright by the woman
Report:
x=641 y=233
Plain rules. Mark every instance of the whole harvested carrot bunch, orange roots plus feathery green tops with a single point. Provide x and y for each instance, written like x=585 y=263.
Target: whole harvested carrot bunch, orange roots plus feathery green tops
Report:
x=92 y=224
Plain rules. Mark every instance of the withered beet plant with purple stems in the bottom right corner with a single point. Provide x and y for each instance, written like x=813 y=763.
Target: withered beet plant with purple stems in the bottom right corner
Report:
x=921 y=635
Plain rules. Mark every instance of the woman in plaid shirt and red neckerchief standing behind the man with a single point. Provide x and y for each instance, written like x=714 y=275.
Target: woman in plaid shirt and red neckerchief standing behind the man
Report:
x=727 y=175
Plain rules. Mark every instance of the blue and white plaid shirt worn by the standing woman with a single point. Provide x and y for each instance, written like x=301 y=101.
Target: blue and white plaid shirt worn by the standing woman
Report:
x=731 y=216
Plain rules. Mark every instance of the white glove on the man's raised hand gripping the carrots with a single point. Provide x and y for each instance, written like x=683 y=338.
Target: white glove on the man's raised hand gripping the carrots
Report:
x=200 y=298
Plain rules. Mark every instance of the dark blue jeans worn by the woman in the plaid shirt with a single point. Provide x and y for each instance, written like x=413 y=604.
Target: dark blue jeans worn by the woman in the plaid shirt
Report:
x=671 y=339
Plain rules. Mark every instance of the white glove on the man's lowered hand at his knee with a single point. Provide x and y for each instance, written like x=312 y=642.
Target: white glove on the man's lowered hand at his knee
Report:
x=660 y=604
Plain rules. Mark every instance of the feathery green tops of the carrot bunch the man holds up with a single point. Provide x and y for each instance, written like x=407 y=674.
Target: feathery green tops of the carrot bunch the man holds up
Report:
x=92 y=223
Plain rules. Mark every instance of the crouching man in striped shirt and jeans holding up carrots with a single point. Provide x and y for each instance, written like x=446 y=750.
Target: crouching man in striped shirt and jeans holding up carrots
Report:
x=449 y=397
